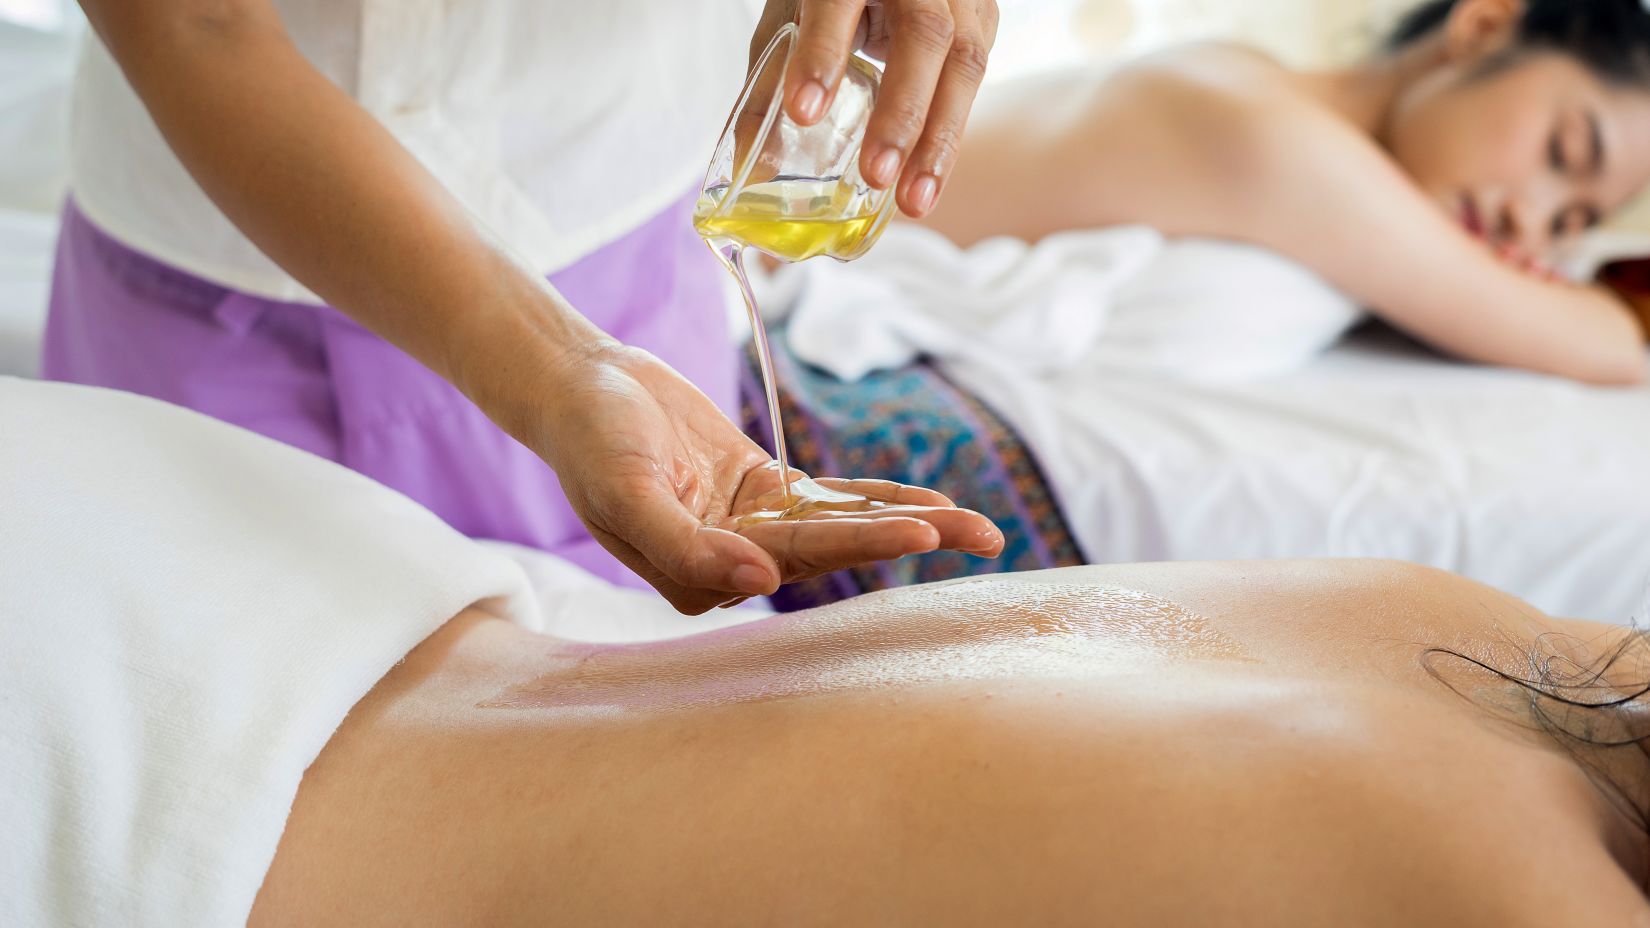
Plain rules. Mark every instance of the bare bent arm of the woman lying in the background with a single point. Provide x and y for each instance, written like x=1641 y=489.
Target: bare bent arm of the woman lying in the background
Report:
x=1319 y=192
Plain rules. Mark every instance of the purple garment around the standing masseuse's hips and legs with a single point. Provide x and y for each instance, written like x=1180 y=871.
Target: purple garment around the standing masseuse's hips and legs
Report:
x=314 y=379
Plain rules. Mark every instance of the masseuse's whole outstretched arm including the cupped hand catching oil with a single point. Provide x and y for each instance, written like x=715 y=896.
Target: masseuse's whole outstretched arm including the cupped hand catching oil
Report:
x=323 y=189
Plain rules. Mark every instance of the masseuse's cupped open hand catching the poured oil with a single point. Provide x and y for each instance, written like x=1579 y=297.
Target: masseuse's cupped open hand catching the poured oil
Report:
x=654 y=470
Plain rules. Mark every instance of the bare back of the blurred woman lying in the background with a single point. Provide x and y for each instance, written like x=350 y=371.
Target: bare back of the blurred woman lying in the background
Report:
x=1189 y=141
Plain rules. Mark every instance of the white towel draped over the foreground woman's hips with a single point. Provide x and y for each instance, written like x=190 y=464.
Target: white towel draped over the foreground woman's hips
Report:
x=187 y=613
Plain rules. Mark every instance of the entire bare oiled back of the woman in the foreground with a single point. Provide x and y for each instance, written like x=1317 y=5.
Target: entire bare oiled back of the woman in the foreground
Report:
x=1148 y=746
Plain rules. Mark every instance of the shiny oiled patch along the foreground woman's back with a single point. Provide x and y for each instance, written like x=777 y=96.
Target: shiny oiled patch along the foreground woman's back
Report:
x=963 y=632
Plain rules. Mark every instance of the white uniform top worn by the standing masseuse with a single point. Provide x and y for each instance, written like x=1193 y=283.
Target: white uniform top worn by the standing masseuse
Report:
x=560 y=125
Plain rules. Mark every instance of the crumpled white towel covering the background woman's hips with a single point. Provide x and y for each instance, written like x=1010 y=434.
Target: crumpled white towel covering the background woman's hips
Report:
x=1123 y=298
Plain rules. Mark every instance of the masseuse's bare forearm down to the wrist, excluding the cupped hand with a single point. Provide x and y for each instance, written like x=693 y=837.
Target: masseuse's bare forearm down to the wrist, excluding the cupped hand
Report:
x=331 y=196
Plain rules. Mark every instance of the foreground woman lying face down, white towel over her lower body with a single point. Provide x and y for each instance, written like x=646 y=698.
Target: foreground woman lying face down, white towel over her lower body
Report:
x=1266 y=744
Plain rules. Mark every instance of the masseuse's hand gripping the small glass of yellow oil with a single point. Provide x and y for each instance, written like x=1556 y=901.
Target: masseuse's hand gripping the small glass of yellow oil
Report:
x=936 y=55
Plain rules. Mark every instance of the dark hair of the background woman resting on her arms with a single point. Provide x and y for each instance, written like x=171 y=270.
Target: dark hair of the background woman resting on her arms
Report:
x=1611 y=37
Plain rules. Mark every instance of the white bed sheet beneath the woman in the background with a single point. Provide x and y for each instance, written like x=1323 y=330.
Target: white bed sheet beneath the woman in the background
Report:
x=1532 y=485
